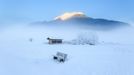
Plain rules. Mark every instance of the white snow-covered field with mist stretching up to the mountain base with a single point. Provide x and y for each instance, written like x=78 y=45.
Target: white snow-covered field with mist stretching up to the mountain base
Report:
x=114 y=55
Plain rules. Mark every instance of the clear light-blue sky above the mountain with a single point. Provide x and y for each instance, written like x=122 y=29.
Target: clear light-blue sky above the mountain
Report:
x=39 y=10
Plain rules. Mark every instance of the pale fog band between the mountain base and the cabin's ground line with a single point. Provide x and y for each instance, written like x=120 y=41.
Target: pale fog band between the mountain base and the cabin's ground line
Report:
x=40 y=33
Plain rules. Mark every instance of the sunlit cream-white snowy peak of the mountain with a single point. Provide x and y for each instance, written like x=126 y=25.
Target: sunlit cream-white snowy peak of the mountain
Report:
x=69 y=15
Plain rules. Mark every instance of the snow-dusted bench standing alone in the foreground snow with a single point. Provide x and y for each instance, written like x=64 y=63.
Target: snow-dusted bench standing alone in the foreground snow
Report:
x=60 y=57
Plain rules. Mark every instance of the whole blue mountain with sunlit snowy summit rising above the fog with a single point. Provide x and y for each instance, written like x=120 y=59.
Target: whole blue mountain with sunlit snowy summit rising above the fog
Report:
x=81 y=20
